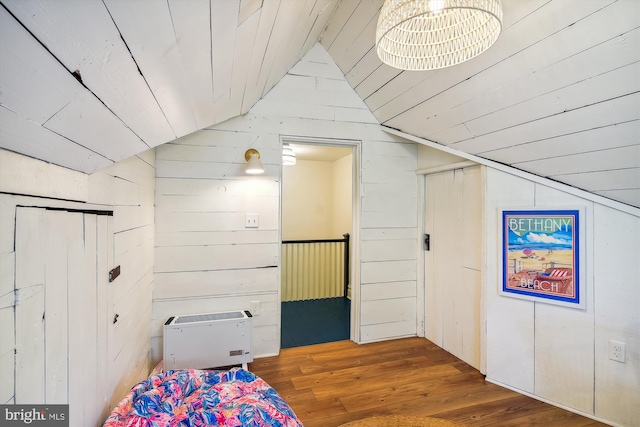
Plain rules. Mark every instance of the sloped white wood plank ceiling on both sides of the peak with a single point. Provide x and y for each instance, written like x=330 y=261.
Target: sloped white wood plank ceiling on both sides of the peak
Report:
x=86 y=83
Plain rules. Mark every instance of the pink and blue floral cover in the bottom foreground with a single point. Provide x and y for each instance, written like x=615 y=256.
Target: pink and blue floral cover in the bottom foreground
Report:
x=194 y=398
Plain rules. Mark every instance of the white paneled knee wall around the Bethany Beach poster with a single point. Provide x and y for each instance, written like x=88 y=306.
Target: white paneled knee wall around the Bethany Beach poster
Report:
x=560 y=354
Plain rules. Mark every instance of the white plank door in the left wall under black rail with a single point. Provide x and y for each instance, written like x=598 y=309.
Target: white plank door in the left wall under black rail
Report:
x=61 y=299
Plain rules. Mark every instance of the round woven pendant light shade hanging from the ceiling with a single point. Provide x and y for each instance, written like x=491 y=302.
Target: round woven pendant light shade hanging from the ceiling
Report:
x=432 y=34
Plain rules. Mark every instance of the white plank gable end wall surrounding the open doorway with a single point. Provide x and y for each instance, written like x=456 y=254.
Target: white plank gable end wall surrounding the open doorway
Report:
x=312 y=101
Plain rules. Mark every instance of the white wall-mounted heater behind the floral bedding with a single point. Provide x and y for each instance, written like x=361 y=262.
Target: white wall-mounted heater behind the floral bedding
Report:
x=208 y=340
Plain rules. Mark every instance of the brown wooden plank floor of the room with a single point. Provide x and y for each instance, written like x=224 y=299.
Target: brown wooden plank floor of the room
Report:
x=334 y=383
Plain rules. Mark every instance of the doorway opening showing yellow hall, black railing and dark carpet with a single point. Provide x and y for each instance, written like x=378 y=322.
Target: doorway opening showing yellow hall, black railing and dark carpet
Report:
x=316 y=229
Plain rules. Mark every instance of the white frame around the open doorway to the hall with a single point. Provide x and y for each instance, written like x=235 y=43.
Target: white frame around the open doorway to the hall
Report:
x=354 y=256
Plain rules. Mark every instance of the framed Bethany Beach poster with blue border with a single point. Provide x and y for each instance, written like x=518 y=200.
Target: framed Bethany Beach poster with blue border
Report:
x=542 y=255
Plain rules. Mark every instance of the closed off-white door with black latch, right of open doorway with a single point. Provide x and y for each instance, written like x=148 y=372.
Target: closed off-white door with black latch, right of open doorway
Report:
x=453 y=220
